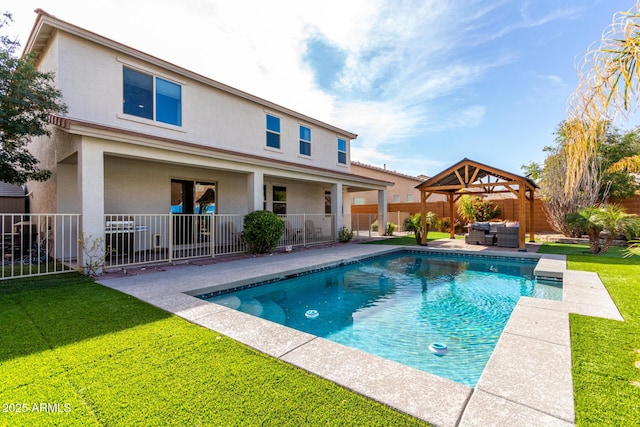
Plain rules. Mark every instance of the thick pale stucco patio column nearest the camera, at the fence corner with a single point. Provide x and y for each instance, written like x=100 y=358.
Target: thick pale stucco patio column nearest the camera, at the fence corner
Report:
x=91 y=191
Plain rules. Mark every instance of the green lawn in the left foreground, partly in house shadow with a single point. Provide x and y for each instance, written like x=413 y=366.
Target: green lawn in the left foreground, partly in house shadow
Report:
x=76 y=353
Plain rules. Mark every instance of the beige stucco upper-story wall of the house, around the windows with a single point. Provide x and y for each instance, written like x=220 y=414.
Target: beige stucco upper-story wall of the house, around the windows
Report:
x=90 y=77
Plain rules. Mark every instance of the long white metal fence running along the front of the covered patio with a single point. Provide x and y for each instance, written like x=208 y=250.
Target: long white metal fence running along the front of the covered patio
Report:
x=36 y=244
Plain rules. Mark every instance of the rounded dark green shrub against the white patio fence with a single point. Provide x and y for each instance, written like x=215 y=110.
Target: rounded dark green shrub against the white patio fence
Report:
x=262 y=230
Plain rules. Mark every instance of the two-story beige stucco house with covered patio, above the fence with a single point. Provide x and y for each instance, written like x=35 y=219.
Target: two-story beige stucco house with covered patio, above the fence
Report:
x=144 y=136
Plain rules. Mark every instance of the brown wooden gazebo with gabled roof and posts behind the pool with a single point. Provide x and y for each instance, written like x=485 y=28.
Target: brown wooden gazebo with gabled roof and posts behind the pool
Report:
x=473 y=178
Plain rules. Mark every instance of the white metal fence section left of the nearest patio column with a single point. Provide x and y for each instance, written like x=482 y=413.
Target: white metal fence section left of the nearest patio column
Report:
x=38 y=244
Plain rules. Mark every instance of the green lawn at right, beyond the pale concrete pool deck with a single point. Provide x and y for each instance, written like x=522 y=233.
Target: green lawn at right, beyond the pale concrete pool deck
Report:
x=605 y=351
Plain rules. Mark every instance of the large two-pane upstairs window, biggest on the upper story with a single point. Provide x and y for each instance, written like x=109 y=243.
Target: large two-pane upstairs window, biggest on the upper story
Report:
x=151 y=97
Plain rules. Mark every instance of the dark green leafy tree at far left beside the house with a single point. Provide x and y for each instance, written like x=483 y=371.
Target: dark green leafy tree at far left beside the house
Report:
x=27 y=98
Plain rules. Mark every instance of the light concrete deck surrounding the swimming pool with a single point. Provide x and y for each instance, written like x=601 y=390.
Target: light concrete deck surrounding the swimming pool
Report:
x=527 y=380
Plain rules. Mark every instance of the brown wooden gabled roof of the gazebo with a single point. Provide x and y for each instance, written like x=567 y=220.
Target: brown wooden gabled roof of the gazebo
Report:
x=473 y=177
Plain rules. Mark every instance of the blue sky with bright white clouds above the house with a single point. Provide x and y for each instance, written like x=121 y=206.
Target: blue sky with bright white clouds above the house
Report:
x=423 y=83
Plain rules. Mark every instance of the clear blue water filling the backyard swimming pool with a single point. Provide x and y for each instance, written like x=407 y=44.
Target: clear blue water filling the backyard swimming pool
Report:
x=397 y=306
